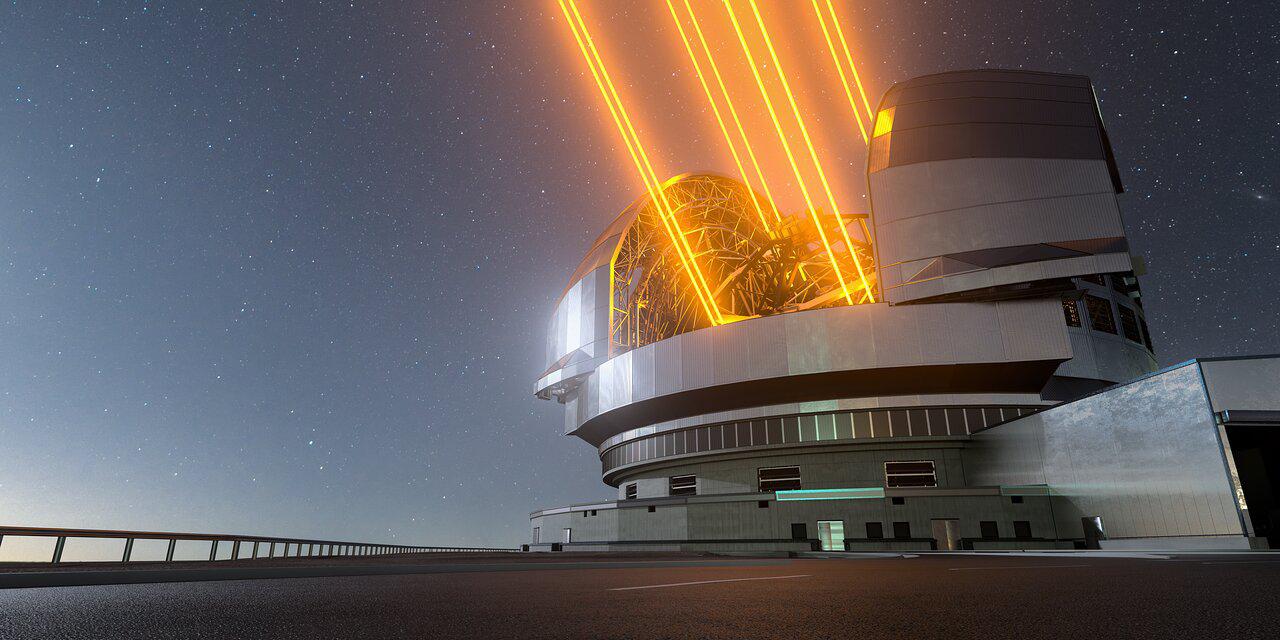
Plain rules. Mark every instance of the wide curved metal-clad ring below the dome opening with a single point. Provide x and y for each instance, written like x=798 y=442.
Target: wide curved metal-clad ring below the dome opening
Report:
x=831 y=355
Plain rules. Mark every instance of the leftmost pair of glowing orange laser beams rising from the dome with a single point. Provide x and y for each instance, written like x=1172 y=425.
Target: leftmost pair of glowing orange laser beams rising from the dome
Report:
x=638 y=156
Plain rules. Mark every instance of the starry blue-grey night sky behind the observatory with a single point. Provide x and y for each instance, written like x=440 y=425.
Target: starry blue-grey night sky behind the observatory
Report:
x=286 y=269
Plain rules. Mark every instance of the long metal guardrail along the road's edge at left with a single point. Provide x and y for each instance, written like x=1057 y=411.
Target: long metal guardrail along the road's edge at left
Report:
x=290 y=547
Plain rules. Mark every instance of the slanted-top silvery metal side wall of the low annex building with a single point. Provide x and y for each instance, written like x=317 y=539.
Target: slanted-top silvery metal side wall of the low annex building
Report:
x=1146 y=458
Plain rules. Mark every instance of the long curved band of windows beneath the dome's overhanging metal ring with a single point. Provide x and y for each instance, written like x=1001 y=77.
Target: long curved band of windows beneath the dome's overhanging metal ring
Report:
x=844 y=426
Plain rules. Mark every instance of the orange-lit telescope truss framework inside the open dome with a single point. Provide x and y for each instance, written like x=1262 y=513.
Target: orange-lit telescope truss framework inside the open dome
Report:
x=752 y=271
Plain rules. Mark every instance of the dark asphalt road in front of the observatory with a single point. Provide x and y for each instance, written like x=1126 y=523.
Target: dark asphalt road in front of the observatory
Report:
x=925 y=597
